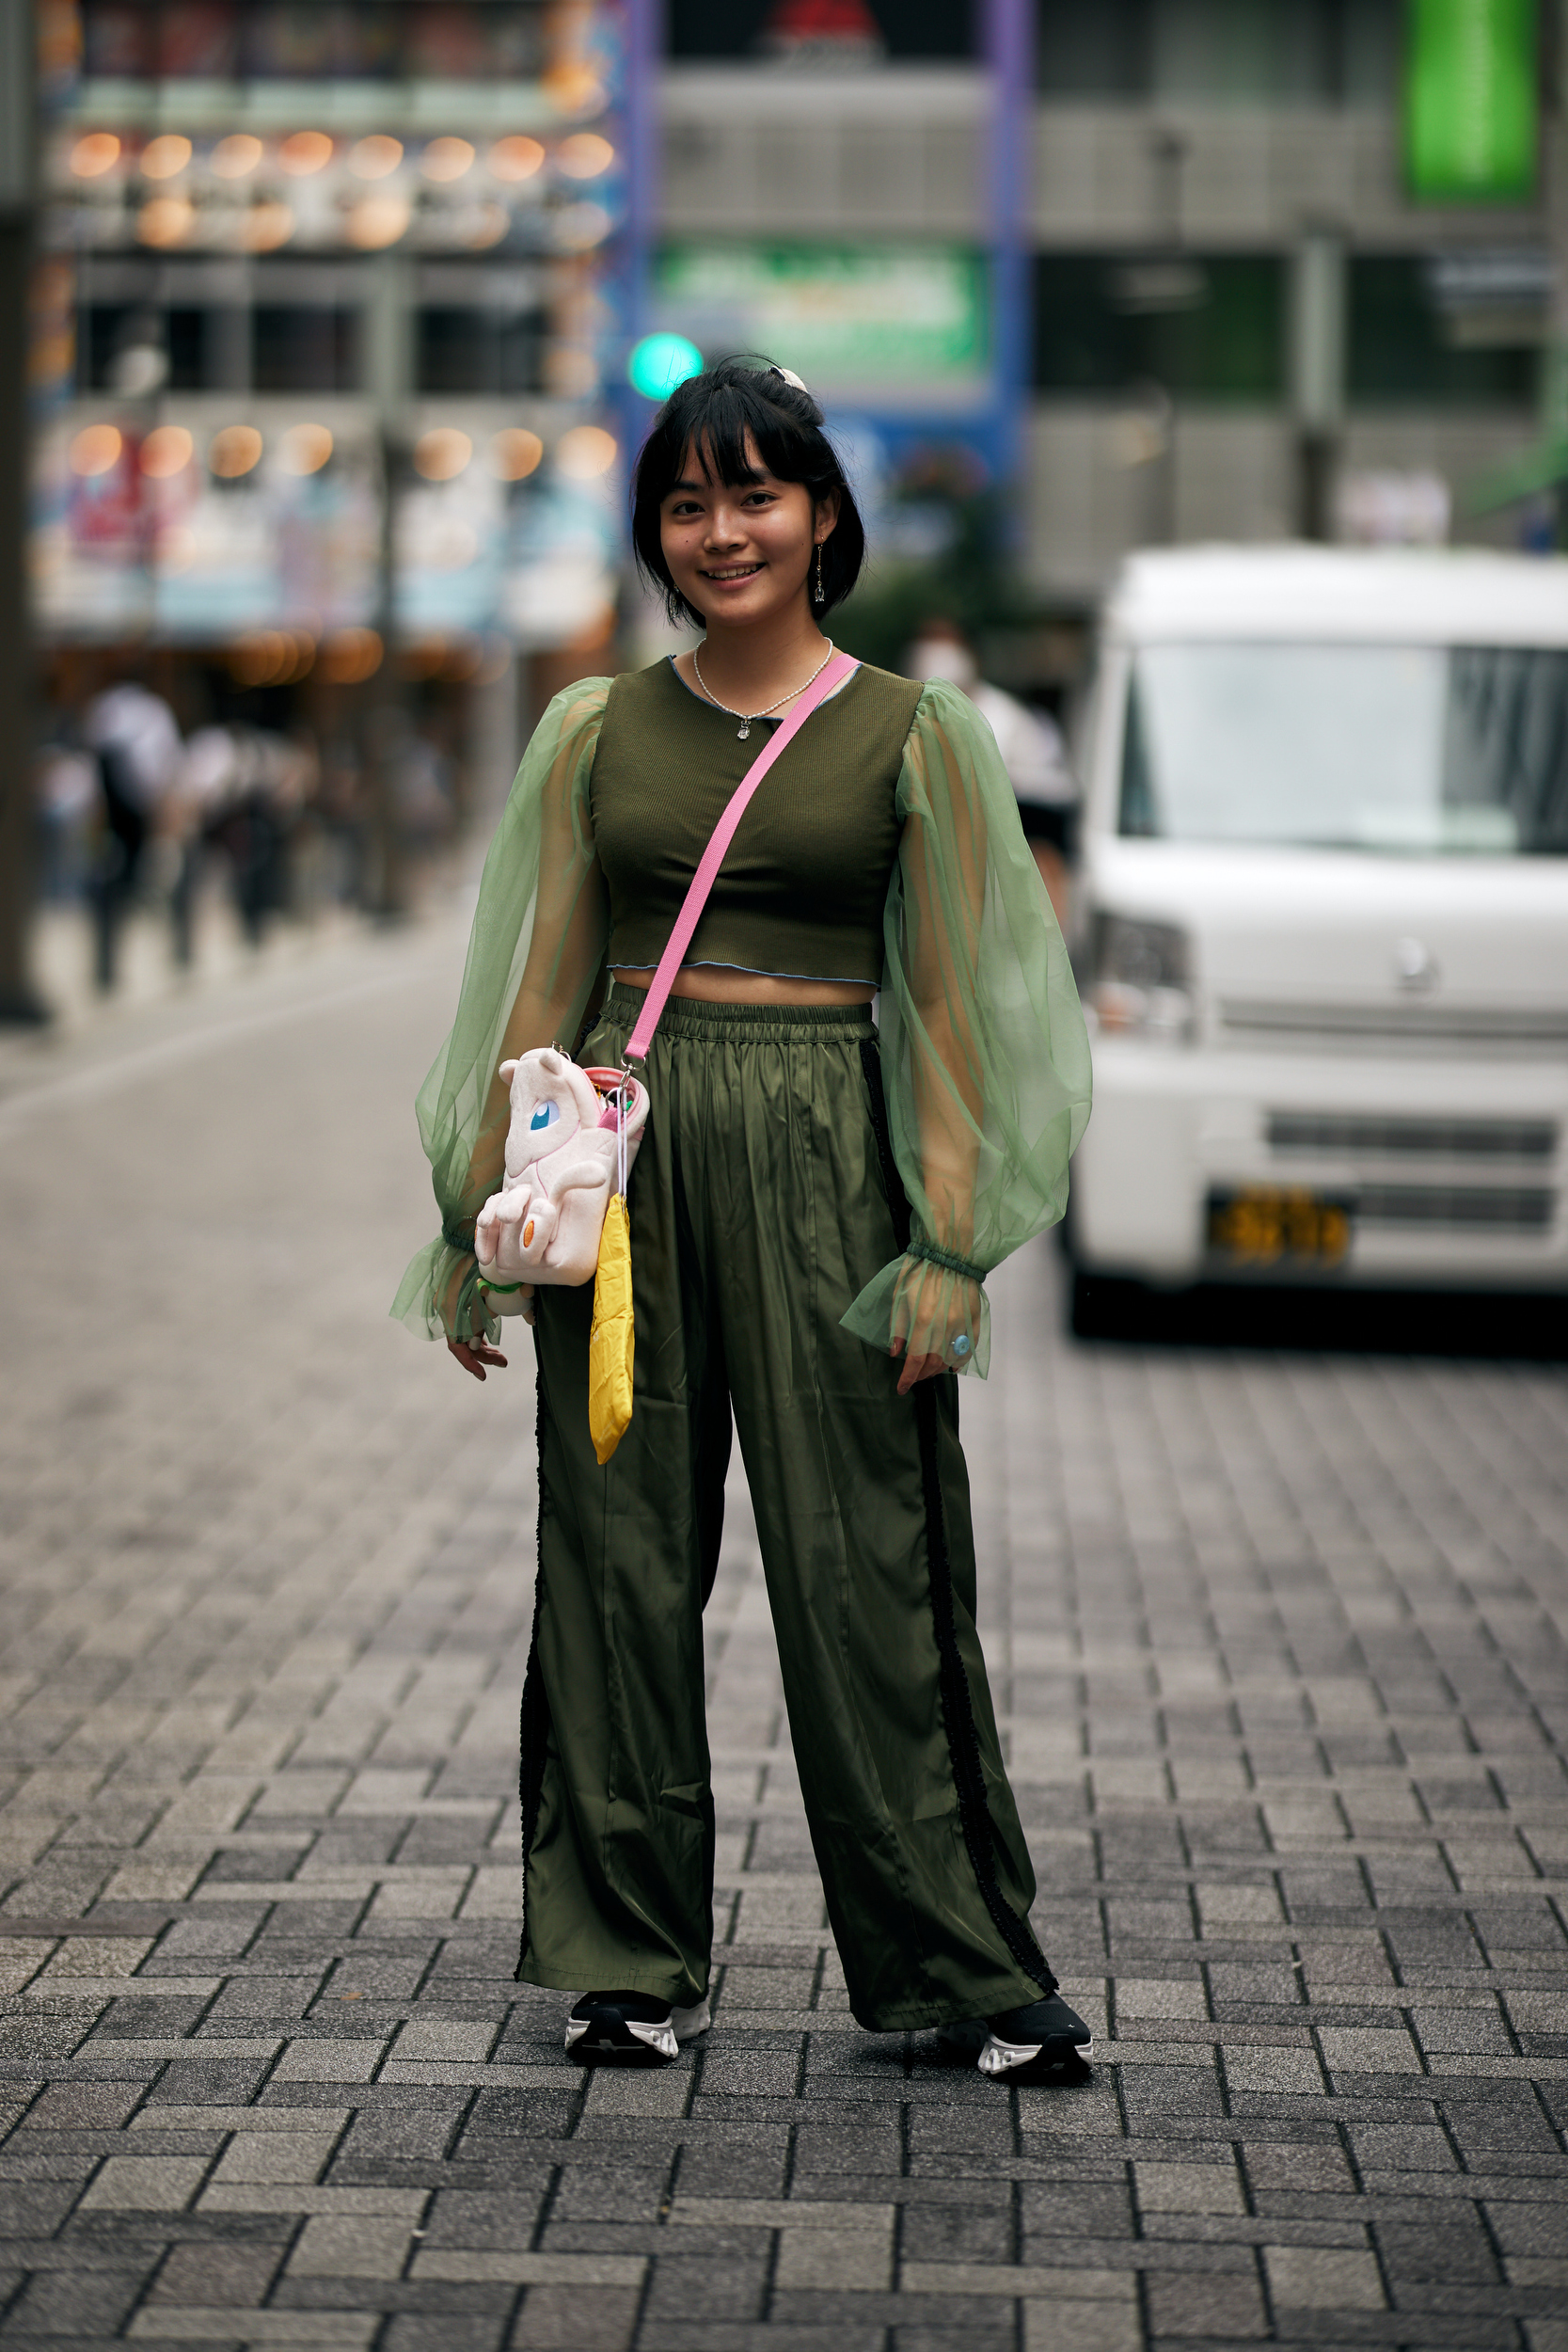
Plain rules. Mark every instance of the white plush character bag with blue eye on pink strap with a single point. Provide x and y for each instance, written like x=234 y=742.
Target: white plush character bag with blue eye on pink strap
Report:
x=563 y=1168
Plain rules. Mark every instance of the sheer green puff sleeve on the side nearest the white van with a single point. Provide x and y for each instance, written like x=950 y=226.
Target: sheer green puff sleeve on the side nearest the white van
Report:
x=984 y=1045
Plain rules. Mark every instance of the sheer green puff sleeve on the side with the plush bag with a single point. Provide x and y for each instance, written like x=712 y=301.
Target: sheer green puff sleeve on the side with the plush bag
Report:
x=535 y=956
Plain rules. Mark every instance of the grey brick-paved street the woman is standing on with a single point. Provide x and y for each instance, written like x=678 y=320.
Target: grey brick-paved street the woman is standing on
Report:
x=1278 y=1643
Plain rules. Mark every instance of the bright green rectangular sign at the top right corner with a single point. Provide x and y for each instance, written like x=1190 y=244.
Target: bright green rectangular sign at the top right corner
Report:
x=1470 y=102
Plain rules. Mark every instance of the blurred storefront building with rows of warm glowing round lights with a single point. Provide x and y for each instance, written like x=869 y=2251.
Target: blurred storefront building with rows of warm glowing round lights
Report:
x=328 y=316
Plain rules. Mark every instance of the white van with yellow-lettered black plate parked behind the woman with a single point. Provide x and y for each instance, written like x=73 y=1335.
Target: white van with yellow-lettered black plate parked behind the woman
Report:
x=1325 y=923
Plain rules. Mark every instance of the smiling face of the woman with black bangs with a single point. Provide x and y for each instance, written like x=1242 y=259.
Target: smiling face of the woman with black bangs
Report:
x=742 y=552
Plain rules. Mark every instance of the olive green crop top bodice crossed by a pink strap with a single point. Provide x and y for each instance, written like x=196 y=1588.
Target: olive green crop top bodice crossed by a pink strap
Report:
x=808 y=874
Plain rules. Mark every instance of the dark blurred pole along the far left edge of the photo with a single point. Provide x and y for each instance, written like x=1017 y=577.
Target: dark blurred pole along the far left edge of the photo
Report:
x=18 y=88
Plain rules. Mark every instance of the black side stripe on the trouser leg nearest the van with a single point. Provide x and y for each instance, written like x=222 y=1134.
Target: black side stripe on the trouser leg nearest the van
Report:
x=958 y=1706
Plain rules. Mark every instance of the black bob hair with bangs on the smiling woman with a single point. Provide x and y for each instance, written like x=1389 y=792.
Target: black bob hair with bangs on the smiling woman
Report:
x=713 y=415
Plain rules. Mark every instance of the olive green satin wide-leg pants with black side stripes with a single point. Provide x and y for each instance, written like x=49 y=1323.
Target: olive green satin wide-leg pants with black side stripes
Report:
x=763 y=1201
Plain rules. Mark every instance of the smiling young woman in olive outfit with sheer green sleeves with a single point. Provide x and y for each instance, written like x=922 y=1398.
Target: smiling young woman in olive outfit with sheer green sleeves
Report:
x=815 y=1212
